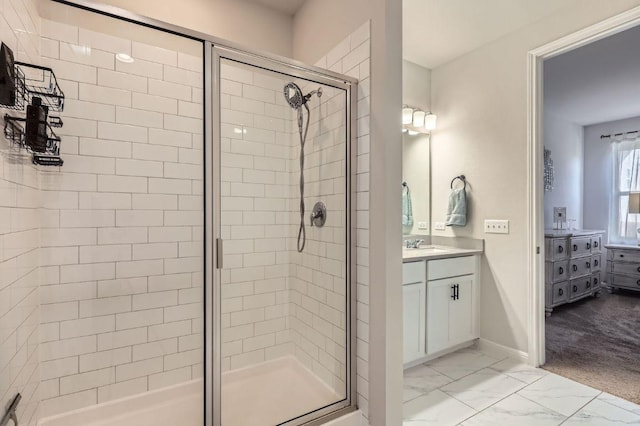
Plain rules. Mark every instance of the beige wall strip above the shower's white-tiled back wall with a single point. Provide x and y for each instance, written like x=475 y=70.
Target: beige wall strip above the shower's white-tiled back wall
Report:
x=249 y=24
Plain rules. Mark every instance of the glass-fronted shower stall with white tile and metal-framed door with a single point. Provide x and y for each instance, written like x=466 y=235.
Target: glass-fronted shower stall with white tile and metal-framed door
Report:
x=197 y=245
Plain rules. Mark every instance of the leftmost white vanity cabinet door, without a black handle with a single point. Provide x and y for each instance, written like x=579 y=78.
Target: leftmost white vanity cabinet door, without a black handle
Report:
x=414 y=321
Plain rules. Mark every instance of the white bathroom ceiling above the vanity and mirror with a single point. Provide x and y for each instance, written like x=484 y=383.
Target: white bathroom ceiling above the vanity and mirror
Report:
x=438 y=31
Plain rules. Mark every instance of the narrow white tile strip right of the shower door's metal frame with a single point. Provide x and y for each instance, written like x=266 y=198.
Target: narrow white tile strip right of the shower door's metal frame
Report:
x=352 y=57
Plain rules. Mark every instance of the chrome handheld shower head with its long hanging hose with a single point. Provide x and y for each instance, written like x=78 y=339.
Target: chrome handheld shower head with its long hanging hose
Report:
x=297 y=100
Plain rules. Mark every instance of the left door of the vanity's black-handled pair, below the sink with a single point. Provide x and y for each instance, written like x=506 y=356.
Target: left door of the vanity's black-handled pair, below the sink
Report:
x=439 y=294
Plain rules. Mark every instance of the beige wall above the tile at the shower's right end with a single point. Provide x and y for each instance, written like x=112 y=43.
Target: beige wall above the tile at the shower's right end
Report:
x=320 y=25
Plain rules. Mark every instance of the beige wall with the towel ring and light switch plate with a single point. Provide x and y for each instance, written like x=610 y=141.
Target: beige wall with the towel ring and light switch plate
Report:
x=482 y=112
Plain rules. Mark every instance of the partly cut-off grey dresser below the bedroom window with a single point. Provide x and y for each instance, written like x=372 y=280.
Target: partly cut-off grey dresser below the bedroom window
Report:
x=623 y=267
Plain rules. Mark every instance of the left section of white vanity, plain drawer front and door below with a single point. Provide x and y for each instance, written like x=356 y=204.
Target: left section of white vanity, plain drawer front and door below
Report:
x=414 y=299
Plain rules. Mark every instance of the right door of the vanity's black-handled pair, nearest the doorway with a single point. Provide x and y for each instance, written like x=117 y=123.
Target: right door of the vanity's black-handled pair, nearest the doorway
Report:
x=461 y=312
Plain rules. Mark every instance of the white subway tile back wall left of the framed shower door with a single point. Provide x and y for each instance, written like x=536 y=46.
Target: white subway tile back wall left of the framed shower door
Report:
x=122 y=238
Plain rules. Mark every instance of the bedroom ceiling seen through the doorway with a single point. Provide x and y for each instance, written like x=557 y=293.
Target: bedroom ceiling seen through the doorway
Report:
x=596 y=83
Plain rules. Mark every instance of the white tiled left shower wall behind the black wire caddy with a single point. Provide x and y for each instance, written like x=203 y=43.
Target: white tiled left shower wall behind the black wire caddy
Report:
x=19 y=238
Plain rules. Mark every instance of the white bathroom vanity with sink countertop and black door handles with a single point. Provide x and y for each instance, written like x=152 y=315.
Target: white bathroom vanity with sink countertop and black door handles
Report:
x=440 y=288
